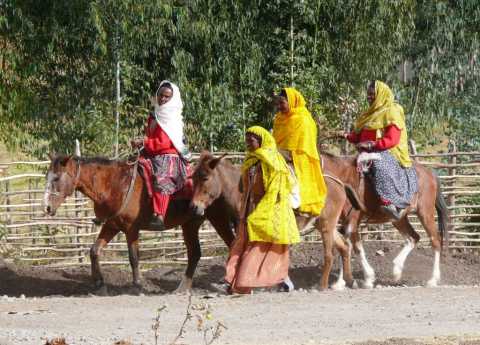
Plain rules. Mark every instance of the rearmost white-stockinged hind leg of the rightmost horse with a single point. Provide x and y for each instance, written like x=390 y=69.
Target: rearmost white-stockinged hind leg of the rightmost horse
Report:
x=427 y=218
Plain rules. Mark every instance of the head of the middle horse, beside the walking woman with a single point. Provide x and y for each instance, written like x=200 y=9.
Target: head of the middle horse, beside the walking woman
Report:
x=207 y=186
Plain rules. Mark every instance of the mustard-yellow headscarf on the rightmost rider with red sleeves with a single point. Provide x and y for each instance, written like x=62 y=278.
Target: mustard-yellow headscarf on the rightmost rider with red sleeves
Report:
x=382 y=113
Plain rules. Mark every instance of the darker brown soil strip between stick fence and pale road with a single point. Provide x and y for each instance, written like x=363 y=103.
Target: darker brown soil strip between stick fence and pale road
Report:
x=306 y=260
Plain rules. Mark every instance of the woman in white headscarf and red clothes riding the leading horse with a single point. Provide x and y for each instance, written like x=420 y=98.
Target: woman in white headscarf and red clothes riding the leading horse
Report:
x=164 y=147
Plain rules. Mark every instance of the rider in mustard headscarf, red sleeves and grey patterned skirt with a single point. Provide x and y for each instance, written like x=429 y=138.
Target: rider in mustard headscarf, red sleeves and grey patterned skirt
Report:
x=382 y=129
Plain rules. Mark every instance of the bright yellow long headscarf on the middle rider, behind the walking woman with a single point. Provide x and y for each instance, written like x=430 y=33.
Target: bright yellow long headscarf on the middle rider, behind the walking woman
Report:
x=296 y=131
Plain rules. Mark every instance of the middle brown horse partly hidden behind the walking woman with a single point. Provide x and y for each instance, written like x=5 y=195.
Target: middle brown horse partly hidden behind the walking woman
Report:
x=217 y=179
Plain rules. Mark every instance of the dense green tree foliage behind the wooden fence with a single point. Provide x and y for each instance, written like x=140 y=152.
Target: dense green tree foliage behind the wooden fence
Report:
x=59 y=57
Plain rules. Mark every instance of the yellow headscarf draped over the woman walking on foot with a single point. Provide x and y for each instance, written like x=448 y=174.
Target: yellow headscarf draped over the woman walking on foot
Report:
x=272 y=220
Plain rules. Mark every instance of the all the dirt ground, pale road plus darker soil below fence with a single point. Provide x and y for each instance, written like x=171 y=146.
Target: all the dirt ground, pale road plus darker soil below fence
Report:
x=59 y=302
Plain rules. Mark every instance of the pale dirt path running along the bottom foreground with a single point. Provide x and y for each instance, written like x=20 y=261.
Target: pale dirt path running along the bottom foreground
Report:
x=301 y=317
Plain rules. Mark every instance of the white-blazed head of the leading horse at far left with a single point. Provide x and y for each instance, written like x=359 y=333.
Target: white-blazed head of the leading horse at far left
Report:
x=62 y=177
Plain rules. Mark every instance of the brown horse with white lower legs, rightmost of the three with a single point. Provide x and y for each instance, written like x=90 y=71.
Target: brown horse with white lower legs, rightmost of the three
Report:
x=362 y=196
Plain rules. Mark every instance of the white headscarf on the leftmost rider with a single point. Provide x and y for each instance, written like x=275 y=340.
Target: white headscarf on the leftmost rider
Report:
x=169 y=116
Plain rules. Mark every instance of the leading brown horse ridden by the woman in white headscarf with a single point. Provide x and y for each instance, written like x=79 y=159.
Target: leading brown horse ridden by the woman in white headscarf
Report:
x=121 y=200
